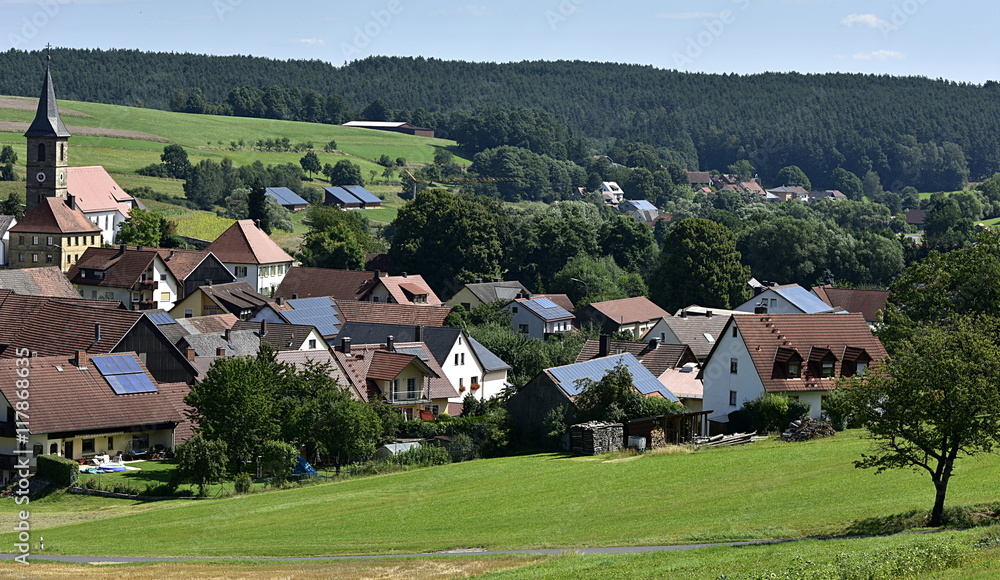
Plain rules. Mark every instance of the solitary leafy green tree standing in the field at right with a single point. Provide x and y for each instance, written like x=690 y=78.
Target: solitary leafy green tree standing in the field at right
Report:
x=934 y=401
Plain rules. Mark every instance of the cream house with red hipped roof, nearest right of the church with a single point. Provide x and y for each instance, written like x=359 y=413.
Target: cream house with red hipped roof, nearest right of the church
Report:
x=251 y=256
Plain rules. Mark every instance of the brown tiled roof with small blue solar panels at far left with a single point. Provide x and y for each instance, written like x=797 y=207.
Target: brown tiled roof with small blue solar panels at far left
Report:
x=72 y=399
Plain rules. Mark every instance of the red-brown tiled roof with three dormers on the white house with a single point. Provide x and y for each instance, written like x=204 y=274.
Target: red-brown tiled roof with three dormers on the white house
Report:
x=773 y=336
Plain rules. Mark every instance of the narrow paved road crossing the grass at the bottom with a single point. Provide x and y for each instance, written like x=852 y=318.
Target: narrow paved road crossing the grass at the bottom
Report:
x=550 y=552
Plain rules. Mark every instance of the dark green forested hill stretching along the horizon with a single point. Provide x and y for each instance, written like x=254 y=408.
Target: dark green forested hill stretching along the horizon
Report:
x=892 y=125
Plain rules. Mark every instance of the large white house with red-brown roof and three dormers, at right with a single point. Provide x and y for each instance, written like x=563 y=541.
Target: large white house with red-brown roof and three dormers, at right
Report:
x=799 y=355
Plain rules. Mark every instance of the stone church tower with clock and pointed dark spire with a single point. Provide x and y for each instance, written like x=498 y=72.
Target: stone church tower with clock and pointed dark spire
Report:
x=47 y=148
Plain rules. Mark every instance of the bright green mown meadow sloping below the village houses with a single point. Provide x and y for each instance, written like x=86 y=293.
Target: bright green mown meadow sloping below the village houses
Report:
x=765 y=491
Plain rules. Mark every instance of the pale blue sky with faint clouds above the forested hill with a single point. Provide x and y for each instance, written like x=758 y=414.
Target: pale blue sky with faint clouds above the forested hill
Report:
x=955 y=40
